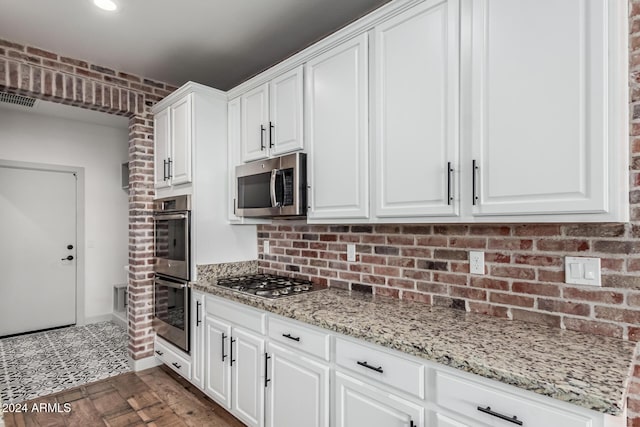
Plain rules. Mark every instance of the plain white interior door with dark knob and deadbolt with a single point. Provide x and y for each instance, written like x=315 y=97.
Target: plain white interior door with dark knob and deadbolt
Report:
x=37 y=225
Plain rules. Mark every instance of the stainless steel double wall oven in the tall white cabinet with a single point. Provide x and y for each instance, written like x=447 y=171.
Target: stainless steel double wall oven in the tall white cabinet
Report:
x=172 y=231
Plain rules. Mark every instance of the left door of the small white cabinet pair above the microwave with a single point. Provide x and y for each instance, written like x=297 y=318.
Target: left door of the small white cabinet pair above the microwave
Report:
x=255 y=123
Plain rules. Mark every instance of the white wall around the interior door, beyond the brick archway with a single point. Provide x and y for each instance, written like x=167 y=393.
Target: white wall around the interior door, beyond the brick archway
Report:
x=100 y=149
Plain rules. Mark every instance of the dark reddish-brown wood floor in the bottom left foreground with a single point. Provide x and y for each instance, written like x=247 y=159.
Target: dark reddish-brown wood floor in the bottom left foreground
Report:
x=156 y=397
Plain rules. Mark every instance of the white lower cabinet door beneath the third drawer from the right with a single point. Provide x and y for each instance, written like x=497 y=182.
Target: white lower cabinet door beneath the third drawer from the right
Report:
x=299 y=379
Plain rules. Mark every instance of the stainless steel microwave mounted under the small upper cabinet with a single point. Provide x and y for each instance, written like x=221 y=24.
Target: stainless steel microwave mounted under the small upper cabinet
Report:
x=272 y=188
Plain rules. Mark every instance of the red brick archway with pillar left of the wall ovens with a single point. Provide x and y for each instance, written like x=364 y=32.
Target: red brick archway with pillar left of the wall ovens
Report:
x=46 y=75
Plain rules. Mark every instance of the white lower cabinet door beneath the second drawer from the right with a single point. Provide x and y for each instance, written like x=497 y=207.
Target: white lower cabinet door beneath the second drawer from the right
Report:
x=360 y=404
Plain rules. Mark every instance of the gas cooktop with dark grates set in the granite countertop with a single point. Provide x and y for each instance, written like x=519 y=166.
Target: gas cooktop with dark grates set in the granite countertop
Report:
x=268 y=285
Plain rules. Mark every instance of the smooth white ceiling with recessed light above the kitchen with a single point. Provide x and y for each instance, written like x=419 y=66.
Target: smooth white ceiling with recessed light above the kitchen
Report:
x=219 y=43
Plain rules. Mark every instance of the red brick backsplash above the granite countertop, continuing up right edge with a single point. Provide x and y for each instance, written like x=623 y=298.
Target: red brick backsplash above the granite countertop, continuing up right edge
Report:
x=524 y=263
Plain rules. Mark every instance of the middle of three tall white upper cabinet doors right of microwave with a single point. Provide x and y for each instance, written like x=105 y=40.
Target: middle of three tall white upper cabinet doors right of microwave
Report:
x=416 y=107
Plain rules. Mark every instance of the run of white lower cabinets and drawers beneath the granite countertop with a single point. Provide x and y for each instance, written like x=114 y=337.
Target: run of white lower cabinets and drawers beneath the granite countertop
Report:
x=291 y=374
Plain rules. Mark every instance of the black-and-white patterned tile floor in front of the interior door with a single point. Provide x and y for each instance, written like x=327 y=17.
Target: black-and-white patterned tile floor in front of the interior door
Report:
x=43 y=363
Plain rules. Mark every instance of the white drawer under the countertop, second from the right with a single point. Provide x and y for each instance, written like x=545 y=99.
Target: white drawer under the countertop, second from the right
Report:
x=380 y=365
